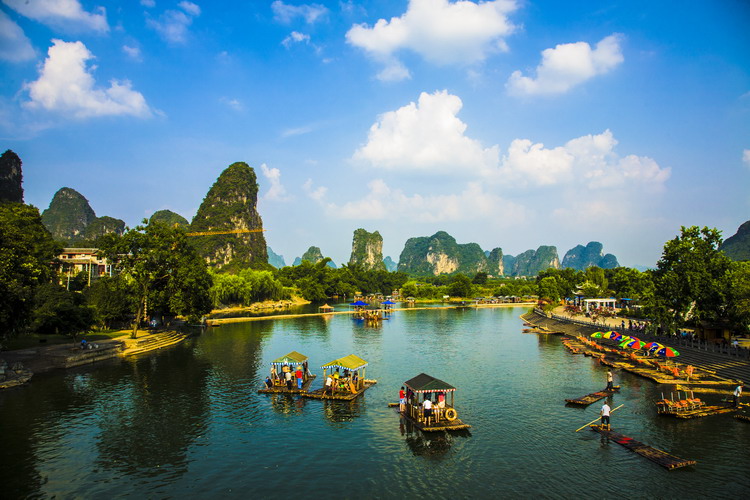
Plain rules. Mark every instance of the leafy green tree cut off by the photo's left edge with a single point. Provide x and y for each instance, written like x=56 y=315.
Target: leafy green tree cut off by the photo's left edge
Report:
x=27 y=256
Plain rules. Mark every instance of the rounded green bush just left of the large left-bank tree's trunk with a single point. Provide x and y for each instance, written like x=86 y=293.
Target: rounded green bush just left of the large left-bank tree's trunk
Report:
x=113 y=300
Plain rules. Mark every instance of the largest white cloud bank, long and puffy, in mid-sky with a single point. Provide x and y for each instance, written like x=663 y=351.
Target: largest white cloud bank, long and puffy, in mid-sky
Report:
x=428 y=137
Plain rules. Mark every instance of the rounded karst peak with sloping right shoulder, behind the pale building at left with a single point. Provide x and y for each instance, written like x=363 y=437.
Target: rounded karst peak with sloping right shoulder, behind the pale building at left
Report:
x=71 y=219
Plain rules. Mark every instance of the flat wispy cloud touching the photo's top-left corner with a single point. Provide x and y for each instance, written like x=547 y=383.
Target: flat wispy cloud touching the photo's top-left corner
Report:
x=67 y=14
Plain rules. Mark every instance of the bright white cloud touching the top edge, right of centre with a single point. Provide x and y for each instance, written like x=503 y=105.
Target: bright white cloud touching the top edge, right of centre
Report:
x=440 y=31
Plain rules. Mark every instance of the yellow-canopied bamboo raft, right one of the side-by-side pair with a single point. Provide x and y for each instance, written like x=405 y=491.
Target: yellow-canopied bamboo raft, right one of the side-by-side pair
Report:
x=344 y=379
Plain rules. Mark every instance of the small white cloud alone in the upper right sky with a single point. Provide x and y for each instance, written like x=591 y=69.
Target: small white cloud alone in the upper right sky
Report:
x=568 y=65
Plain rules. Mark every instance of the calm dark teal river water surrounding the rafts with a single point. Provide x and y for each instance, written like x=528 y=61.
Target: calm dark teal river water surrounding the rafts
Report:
x=188 y=421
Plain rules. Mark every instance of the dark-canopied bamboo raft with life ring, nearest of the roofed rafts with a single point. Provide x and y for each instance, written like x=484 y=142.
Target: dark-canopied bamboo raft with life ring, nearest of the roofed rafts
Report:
x=439 y=415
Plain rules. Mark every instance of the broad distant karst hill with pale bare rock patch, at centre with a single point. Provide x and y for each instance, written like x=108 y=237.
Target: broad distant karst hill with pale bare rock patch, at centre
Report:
x=440 y=254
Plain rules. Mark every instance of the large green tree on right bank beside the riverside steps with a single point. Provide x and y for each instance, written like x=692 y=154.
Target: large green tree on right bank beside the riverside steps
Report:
x=692 y=279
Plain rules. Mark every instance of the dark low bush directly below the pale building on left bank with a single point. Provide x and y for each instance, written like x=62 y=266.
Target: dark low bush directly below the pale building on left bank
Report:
x=59 y=311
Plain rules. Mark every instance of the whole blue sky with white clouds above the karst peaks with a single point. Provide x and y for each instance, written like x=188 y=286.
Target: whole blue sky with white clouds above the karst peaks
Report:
x=509 y=124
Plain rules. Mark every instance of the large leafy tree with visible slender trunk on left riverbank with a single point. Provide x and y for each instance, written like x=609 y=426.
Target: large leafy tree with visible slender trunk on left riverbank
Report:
x=165 y=270
